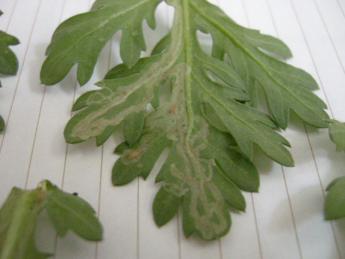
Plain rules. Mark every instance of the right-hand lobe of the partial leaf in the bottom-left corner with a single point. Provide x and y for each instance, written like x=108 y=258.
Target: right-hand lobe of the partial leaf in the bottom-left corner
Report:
x=69 y=212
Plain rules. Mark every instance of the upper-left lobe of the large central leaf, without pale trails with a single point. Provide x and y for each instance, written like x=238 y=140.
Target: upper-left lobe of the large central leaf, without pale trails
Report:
x=80 y=39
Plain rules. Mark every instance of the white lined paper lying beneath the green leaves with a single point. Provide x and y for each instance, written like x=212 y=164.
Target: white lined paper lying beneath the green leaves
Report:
x=285 y=220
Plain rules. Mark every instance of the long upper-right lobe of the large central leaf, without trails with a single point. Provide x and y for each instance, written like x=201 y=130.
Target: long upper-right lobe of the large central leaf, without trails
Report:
x=286 y=88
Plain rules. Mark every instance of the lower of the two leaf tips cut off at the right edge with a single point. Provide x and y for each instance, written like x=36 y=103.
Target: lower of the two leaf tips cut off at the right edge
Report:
x=335 y=200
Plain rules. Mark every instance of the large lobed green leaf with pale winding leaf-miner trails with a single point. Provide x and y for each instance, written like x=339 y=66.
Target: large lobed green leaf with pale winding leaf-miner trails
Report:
x=204 y=108
